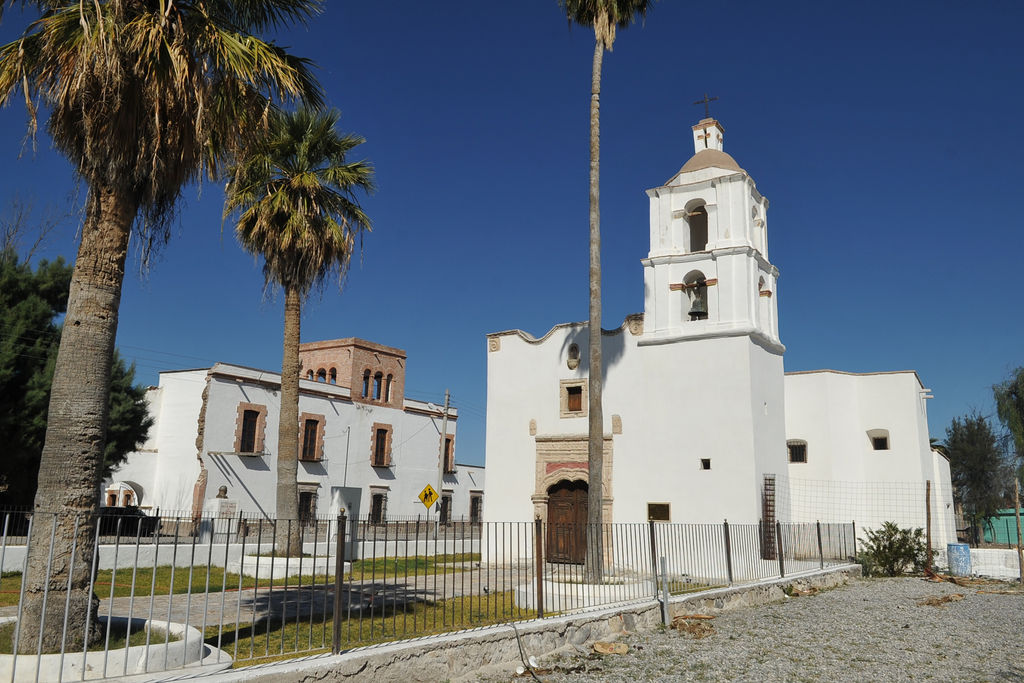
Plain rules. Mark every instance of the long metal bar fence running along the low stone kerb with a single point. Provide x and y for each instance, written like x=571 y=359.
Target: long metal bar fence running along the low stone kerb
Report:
x=190 y=592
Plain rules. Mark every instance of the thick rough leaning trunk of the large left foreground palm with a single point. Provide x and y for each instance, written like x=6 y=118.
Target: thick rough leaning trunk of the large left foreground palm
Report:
x=76 y=433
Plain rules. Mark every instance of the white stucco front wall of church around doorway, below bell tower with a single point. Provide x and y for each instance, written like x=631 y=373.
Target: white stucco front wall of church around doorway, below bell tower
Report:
x=677 y=404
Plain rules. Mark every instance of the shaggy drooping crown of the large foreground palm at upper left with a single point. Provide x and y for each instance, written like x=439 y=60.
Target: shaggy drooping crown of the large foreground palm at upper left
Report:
x=146 y=97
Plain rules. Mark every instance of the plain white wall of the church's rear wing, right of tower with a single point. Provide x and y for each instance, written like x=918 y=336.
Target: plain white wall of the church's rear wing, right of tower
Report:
x=844 y=477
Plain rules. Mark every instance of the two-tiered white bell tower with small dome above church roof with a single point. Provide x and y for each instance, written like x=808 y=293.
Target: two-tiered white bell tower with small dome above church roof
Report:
x=708 y=273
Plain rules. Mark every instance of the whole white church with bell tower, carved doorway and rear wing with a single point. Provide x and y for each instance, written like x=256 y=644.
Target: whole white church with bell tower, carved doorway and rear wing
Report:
x=701 y=421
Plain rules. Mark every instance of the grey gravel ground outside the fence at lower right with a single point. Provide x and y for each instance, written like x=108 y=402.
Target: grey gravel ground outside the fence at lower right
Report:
x=871 y=630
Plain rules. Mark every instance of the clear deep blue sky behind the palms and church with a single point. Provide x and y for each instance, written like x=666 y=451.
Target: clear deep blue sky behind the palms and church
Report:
x=887 y=137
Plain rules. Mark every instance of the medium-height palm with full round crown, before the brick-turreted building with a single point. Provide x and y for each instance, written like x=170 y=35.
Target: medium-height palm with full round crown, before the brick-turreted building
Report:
x=294 y=198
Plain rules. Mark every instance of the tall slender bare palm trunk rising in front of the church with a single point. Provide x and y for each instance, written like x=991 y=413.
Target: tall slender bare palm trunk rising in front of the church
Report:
x=595 y=445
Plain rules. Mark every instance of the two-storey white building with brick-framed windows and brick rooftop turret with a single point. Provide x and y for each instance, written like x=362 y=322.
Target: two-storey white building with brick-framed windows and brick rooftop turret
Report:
x=364 y=446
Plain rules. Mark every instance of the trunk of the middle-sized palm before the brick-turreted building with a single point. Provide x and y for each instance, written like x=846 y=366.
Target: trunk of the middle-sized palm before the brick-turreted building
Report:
x=288 y=541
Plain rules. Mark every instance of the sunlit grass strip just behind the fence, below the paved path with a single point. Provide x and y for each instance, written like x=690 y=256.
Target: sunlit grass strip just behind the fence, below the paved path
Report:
x=271 y=642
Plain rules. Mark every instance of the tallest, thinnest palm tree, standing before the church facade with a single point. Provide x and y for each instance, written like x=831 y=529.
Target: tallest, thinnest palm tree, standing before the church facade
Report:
x=605 y=17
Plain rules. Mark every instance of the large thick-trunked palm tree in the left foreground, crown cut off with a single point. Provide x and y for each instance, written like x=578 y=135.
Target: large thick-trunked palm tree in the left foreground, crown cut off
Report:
x=144 y=97
